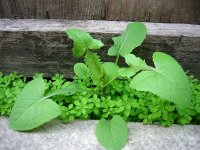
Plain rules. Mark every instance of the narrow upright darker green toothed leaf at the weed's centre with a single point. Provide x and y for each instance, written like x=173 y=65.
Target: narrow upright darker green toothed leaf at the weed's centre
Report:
x=94 y=65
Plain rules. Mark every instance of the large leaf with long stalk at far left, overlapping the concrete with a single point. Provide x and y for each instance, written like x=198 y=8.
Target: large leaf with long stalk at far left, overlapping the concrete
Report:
x=32 y=109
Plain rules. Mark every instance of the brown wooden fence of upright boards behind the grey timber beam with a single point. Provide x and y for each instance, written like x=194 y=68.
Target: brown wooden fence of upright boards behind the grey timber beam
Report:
x=176 y=11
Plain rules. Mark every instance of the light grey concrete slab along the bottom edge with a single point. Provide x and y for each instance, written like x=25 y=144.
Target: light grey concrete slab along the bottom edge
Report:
x=80 y=135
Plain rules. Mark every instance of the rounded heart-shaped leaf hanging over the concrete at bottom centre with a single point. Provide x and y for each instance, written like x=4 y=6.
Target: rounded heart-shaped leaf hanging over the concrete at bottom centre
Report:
x=113 y=134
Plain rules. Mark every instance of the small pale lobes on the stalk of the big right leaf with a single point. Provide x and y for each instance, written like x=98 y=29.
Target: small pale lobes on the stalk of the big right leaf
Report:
x=136 y=64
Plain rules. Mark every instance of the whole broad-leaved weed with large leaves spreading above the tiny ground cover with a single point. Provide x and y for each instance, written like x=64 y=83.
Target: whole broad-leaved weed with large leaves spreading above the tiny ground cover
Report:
x=166 y=80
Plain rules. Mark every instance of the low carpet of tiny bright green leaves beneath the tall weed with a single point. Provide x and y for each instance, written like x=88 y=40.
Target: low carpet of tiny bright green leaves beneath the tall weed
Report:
x=131 y=105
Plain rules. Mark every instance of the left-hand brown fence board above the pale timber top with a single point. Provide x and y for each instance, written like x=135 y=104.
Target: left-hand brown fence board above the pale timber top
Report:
x=63 y=9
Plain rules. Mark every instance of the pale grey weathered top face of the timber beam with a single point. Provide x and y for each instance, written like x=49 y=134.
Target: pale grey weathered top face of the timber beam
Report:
x=96 y=26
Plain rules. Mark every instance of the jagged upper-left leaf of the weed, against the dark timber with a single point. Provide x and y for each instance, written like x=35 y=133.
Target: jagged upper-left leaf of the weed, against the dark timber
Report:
x=83 y=41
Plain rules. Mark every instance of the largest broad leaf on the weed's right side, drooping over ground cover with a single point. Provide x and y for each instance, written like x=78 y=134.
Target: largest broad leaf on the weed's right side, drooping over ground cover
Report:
x=167 y=80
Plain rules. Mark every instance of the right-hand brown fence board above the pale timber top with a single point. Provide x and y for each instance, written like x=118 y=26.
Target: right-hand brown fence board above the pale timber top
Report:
x=177 y=11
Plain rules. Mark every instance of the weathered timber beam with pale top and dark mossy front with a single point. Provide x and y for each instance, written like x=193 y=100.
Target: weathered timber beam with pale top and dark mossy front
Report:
x=31 y=46
